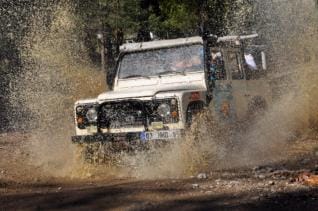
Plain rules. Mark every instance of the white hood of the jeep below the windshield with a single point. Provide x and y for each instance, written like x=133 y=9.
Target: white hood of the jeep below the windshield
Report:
x=151 y=87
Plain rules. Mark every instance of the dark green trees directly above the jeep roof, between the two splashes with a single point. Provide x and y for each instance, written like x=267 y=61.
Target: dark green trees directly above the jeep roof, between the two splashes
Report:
x=135 y=19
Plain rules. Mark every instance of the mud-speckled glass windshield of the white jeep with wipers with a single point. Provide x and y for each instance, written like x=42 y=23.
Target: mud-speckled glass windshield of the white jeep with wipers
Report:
x=176 y=60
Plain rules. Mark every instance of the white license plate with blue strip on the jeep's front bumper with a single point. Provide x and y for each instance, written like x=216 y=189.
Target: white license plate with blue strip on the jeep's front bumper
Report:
x=160 y=135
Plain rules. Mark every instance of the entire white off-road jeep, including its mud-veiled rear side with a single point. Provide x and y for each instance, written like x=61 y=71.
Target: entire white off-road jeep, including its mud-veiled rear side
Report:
x=160 y=85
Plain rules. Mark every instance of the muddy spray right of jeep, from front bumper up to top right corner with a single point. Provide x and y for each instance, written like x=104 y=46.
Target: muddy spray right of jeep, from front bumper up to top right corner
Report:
x=289 y=28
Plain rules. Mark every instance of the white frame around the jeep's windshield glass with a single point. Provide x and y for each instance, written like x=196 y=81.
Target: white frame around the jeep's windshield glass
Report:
x=181 y=72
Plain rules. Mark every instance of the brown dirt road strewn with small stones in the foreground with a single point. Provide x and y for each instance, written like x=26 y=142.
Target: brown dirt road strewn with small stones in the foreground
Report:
x=270 y=187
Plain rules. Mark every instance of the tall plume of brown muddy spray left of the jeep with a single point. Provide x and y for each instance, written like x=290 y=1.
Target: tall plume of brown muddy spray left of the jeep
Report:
x=55 y=74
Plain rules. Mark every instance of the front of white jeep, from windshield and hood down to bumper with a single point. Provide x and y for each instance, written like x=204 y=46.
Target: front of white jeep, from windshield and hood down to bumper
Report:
x=157 y=88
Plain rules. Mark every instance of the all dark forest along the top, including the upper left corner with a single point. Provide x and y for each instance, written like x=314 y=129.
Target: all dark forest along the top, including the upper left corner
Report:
x=121 y=20
